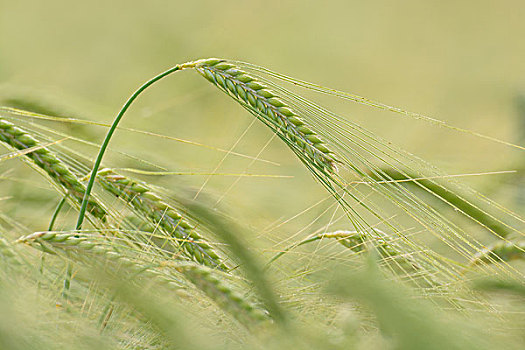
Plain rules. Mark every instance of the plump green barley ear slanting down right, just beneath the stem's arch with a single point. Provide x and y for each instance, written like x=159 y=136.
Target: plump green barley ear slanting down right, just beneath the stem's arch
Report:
x=141 y=197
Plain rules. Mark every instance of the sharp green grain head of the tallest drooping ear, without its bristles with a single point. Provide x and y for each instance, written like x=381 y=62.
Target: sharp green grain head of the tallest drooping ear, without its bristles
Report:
x=259 y=99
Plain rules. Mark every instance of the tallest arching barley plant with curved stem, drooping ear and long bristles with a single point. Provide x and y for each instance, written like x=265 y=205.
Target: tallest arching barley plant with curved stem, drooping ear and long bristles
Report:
x=322 y=139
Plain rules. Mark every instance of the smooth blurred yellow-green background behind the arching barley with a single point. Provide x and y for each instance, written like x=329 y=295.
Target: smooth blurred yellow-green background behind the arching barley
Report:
x=460 y=62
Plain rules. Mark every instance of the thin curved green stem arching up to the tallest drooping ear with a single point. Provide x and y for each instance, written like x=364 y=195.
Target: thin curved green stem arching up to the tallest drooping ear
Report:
x=112 y=129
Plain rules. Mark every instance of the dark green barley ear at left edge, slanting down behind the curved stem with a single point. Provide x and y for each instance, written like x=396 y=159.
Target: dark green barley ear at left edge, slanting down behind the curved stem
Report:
x=47 y=161
